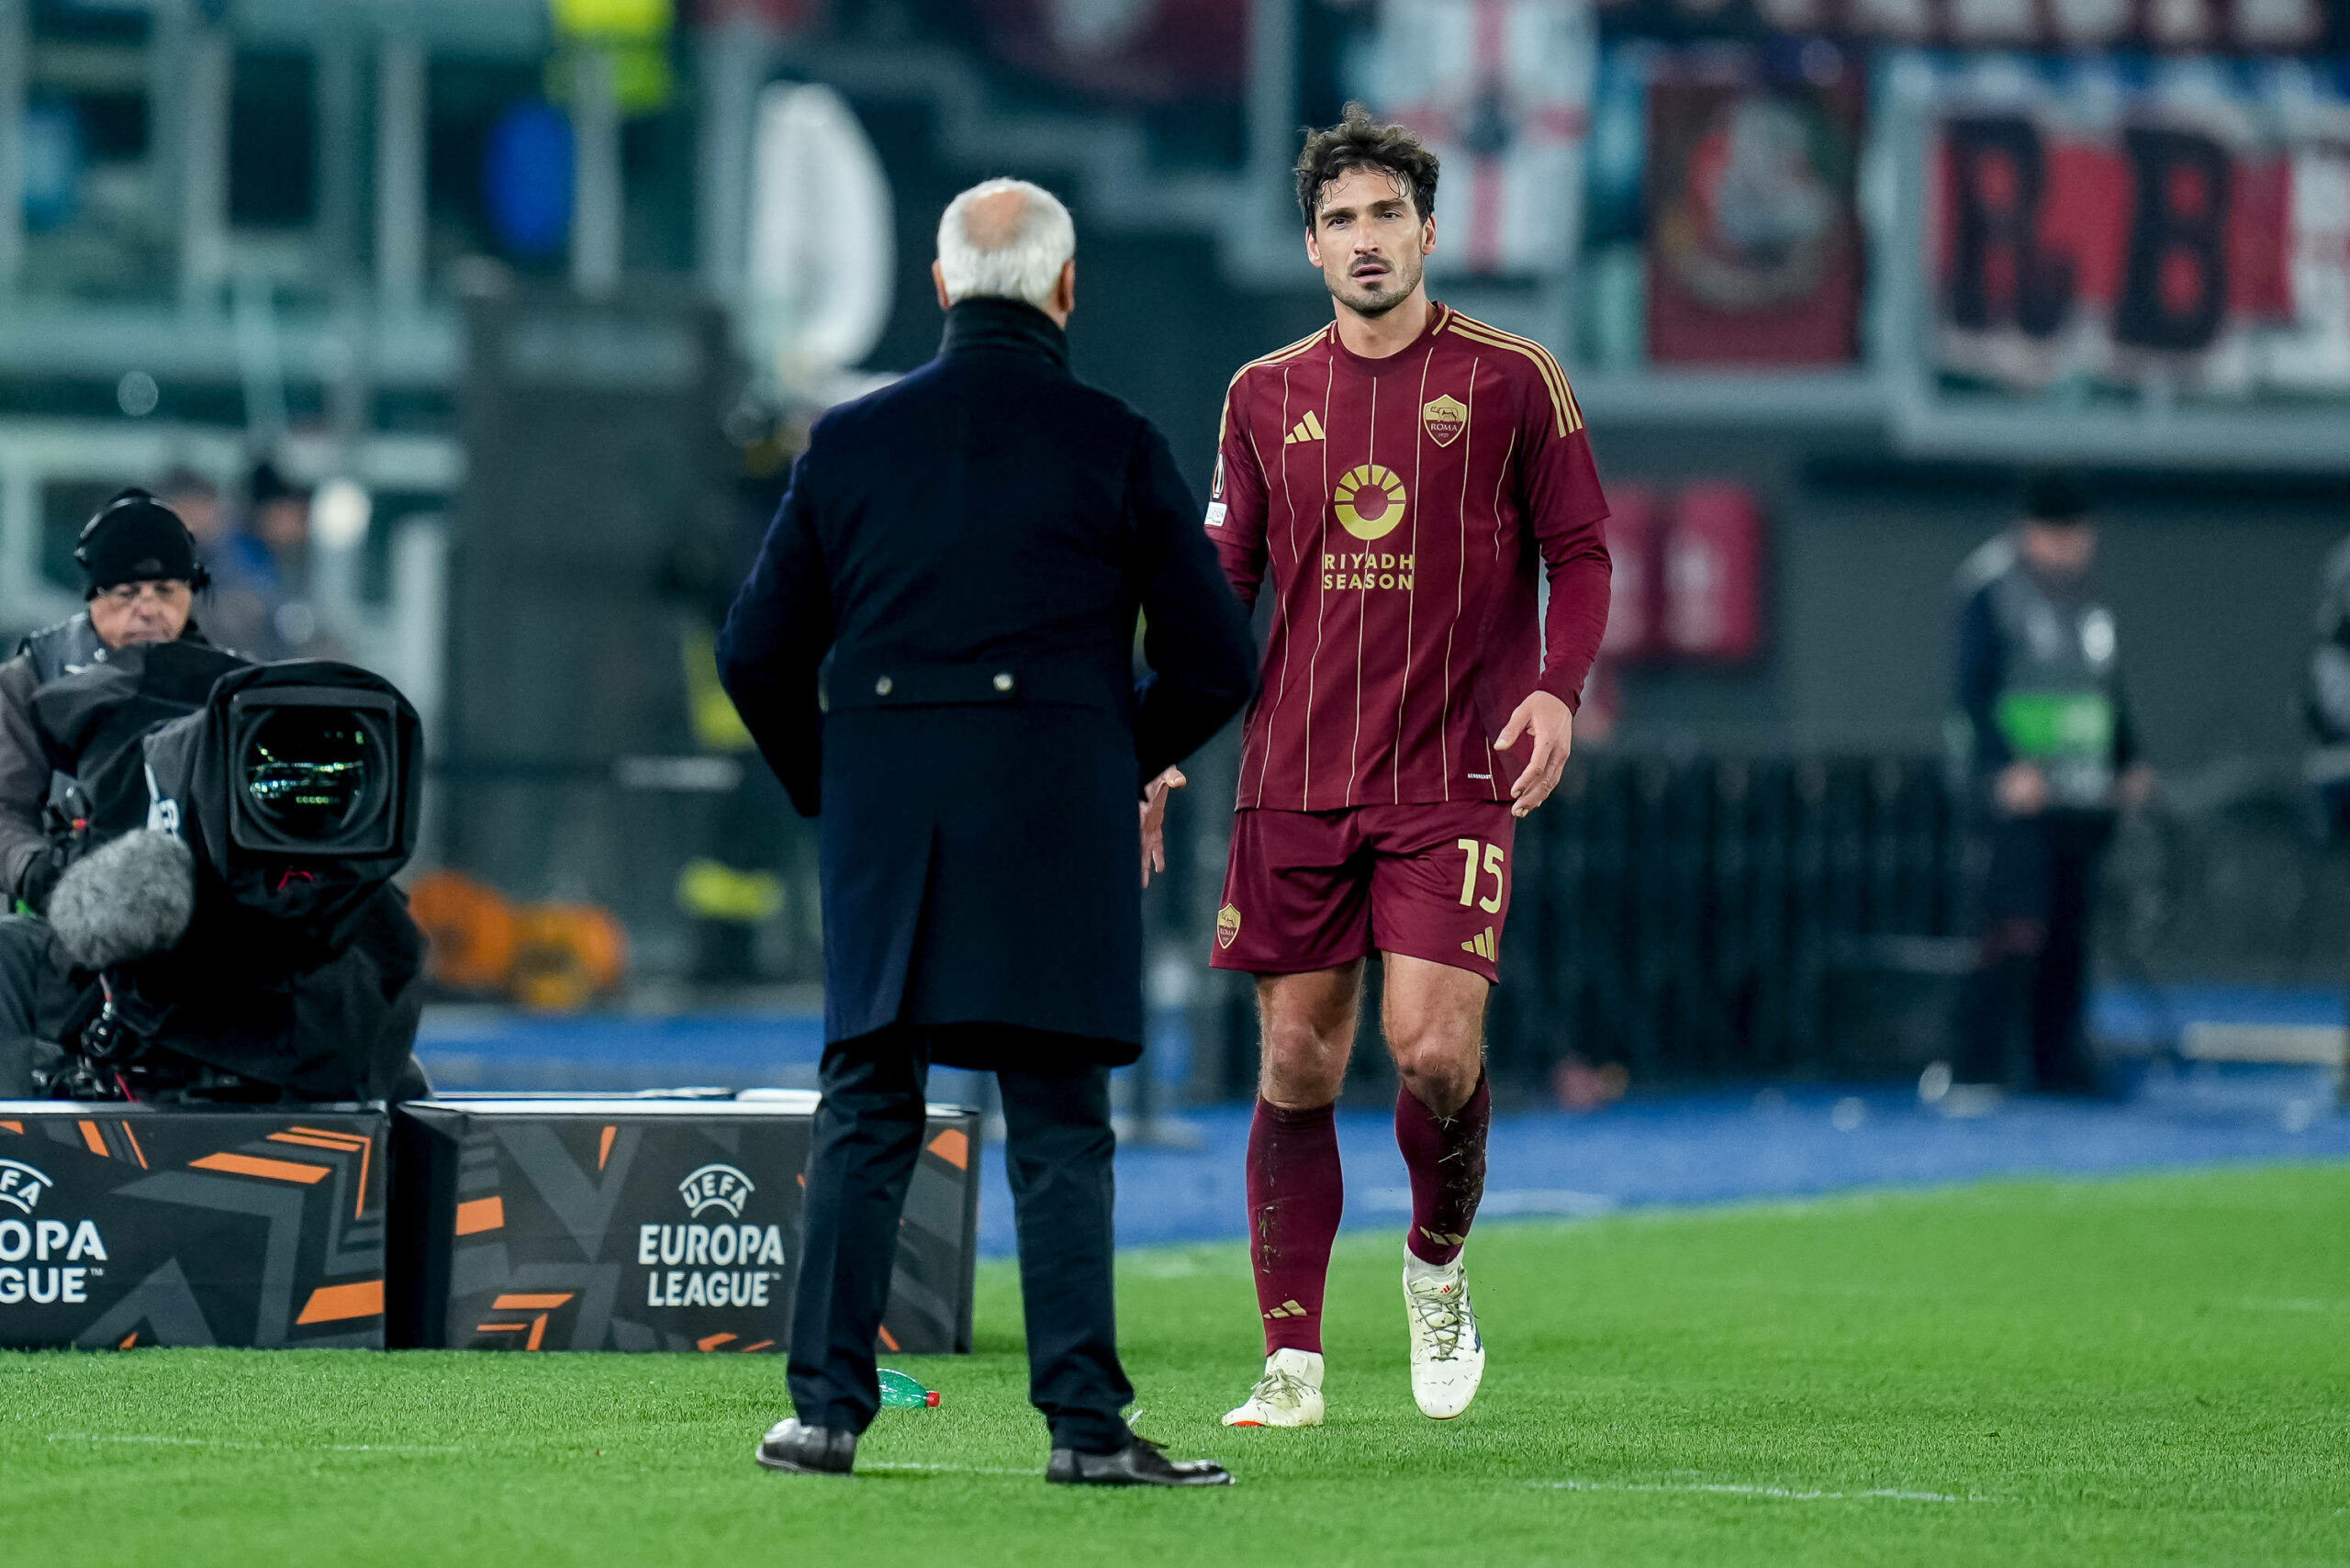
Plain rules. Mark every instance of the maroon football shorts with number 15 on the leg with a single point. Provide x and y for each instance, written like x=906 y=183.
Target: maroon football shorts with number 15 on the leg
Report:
x=1317 y=890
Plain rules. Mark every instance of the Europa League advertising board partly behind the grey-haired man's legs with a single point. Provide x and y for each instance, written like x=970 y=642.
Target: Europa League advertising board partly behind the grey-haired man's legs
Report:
x=650 y=1224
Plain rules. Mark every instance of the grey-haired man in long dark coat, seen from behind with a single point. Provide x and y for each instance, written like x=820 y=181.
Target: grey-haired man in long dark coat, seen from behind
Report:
x=936 y=657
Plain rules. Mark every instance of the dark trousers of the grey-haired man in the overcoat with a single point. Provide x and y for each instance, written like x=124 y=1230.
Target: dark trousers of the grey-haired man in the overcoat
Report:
x=1059 y=1155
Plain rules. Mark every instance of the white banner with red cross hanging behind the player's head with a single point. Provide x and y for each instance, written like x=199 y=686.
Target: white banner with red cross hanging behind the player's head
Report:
x=1503 y=93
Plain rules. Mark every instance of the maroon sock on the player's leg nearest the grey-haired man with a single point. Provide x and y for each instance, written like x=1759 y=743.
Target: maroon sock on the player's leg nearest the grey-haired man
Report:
x=1296 y=1195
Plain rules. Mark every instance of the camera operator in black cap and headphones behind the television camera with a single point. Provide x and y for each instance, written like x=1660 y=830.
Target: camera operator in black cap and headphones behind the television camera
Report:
x=140 y=577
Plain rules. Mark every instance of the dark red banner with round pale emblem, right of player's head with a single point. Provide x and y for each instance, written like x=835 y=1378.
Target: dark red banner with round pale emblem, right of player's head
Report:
x=1754 y=248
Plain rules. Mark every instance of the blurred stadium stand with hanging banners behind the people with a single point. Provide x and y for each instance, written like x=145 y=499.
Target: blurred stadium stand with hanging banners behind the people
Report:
x=1844 y=262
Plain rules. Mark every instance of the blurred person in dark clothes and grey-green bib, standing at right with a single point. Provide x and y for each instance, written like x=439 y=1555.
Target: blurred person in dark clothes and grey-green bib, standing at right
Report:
x=2053 y=758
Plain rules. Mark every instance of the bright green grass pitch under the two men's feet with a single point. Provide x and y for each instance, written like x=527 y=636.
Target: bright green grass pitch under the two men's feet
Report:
x=2114 y=1372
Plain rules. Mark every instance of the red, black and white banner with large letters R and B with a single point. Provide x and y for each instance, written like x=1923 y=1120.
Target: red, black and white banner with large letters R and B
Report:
x=2144 y=229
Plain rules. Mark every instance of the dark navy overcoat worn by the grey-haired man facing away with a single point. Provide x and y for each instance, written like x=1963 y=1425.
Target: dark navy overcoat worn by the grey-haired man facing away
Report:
x=960 y=565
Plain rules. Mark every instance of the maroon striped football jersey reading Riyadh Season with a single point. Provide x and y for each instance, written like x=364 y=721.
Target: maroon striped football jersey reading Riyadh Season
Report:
x=1404 y=509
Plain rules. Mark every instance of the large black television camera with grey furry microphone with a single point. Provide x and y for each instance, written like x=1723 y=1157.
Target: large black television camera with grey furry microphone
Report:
x=229 y=927
